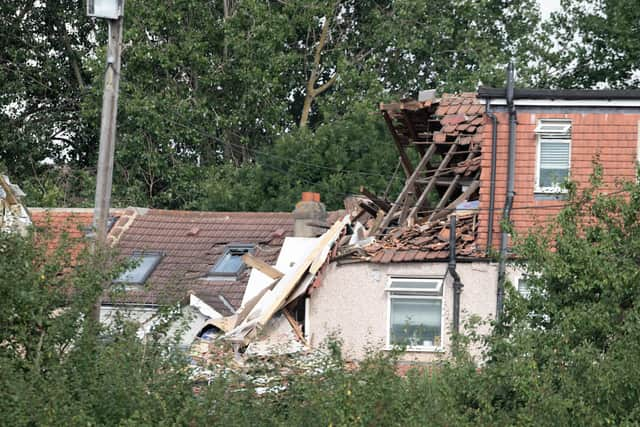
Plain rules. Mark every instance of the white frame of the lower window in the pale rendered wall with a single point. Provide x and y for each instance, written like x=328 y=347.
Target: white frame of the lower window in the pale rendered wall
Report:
x=409 y=293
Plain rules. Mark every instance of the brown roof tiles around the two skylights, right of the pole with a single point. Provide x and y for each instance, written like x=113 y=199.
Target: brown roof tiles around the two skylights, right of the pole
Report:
x=188 y=256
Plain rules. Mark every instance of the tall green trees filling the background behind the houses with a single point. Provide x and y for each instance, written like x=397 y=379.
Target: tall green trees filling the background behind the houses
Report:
x=208 y=91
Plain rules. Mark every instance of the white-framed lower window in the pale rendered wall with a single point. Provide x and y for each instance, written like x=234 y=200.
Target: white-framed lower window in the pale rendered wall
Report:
x=415 y=313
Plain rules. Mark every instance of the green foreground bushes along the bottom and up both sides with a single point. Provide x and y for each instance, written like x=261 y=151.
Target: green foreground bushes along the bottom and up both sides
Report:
x=566 y=355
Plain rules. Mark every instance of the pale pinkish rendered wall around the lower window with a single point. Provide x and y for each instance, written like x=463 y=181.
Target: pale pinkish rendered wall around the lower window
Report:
x=352 y=303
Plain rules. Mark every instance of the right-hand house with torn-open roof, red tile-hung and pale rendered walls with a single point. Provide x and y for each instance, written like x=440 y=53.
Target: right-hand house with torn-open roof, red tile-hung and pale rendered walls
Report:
x=413 y=270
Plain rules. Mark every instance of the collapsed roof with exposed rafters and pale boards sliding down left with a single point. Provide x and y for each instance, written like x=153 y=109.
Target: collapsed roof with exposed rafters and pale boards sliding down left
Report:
x=444 y=137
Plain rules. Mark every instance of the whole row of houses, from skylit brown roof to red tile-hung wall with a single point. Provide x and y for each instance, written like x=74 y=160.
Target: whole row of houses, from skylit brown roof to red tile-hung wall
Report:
x=406 y=271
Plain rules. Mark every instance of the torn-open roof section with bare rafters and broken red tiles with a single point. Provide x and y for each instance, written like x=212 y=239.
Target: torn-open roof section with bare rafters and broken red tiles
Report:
x=446 y=136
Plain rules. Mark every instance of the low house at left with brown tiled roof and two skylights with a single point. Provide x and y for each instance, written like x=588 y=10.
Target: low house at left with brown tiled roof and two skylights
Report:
x=193 y=259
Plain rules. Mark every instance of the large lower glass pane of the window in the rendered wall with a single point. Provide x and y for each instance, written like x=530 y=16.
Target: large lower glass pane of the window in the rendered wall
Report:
x=416 y=322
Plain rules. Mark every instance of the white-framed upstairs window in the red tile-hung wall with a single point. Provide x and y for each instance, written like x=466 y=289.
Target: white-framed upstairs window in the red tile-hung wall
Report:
x=553 y=155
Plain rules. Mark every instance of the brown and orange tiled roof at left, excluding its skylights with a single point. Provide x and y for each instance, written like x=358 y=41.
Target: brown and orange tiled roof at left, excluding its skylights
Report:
x=191 y=244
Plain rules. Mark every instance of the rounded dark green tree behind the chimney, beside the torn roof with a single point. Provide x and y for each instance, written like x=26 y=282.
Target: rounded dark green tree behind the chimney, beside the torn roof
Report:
x=334 y=161
